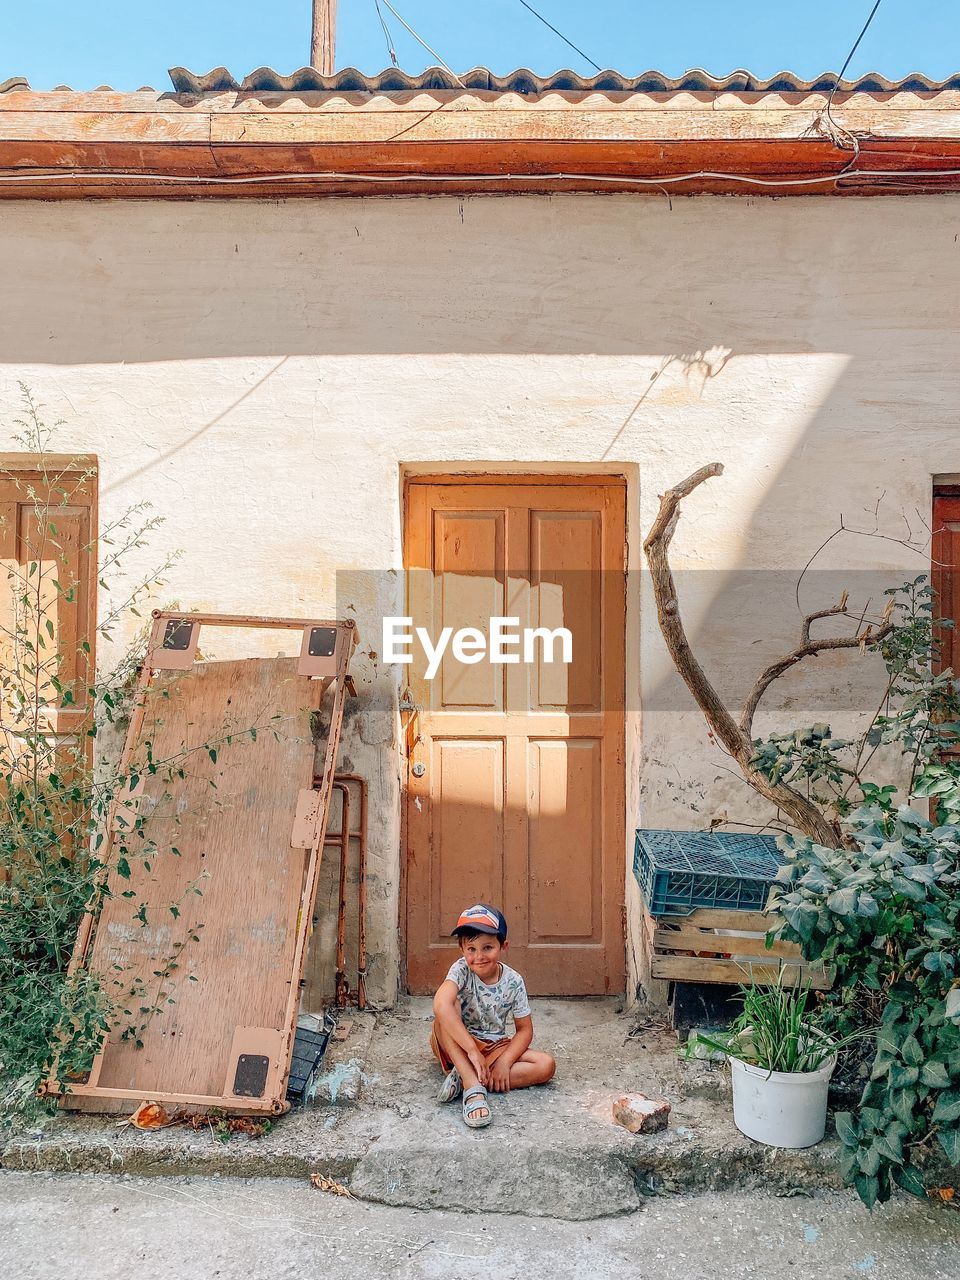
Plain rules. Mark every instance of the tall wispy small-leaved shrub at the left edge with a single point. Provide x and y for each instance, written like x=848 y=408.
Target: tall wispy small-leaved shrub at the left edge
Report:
x=54 y=799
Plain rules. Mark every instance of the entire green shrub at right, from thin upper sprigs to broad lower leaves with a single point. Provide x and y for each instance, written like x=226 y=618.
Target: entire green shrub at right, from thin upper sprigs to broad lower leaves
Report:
x=885 y=909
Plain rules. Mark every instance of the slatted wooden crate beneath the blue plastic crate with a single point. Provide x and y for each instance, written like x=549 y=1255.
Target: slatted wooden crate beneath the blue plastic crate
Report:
x=707 y=947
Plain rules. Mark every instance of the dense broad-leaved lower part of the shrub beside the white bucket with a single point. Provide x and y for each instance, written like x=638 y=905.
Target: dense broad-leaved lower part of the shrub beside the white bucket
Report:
x=888 y=917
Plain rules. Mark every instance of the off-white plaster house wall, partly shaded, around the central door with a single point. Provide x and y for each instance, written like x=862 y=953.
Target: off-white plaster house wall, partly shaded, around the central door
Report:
x=260 y=372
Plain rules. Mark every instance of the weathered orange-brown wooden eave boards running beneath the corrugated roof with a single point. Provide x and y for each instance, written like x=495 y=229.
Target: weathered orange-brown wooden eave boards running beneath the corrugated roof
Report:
x=106 y=144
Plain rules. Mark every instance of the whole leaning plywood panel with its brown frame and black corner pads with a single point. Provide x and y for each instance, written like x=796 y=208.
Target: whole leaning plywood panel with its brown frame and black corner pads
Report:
x=225 y=883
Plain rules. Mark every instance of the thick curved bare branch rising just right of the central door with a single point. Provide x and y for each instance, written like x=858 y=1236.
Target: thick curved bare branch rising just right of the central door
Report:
x=802 y=812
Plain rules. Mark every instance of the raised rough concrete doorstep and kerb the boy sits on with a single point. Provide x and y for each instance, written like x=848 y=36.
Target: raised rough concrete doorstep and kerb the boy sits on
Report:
x=551 y=1153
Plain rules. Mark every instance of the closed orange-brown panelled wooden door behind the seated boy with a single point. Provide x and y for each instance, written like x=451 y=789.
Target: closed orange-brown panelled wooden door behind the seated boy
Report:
x=516 y=788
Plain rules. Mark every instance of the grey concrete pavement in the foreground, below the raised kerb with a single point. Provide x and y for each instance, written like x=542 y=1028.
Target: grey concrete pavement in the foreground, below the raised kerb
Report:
x=62 y=1227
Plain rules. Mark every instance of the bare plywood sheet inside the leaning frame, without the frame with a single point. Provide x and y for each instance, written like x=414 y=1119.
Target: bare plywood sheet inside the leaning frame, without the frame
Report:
x=222 y=892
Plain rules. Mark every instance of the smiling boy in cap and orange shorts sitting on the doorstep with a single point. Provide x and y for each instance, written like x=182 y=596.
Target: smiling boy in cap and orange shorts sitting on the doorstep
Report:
x=472 y=1009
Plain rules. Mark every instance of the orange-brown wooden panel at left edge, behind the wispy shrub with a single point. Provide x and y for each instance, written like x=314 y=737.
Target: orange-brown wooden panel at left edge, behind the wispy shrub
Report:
x=48 y=596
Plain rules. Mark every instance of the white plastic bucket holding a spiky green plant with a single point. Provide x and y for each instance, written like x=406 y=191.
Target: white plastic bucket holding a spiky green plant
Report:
x=783 y=1109
